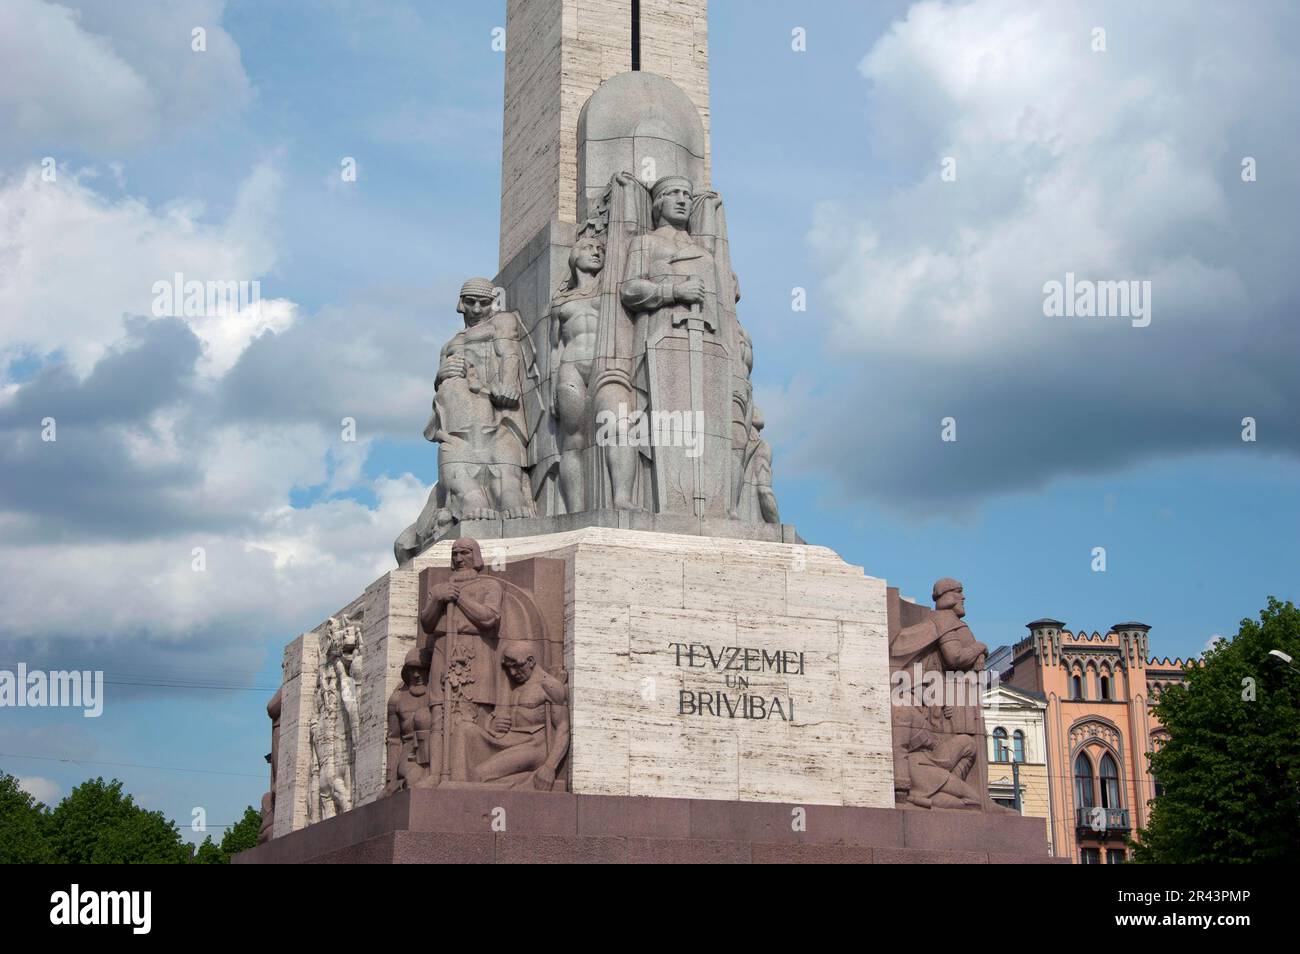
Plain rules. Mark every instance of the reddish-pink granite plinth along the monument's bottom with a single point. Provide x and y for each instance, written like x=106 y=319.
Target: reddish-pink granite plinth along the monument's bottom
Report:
x=457 y=827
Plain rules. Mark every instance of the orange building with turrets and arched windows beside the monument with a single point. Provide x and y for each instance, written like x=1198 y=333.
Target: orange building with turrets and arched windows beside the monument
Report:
x=1099 y=731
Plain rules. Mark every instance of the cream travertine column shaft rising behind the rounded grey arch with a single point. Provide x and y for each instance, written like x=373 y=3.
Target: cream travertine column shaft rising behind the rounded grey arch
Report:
x=557 y=54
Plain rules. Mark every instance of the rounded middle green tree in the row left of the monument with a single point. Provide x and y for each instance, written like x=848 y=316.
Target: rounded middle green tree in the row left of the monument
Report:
x=98 y=825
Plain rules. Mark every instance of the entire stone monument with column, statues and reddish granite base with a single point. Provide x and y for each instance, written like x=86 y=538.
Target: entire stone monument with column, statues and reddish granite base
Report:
x=599 y=630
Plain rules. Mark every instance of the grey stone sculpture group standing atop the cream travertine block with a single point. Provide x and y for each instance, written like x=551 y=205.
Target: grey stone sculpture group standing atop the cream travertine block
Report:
x=647 y=405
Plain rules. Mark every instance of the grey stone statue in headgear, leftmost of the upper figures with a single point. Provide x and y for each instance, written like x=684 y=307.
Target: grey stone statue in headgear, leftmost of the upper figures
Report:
x=483 y=419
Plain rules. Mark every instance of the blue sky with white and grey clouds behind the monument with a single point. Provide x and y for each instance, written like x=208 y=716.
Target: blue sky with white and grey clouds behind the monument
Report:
x=925 y=301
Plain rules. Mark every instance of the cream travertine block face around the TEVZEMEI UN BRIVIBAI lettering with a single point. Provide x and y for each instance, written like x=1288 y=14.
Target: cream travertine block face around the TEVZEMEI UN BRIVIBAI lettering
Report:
x=630 y=595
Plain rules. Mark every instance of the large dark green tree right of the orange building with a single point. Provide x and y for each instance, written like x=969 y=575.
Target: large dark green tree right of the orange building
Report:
x=1230 y=770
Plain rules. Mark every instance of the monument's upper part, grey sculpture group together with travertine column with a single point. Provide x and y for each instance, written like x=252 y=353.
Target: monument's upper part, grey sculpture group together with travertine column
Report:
x=630 y=401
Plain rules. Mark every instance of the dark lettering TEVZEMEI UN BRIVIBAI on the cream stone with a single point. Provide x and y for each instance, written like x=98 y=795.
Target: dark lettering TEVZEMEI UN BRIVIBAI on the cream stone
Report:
x=734 y=662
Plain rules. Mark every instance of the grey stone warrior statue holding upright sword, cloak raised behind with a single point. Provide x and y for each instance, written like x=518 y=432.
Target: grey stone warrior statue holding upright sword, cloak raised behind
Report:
x=665 y=348
